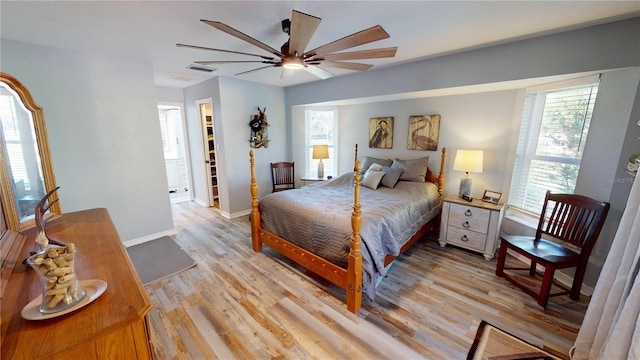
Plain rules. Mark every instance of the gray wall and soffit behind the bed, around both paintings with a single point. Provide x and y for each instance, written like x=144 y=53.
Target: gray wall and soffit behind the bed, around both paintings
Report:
x=467 y=120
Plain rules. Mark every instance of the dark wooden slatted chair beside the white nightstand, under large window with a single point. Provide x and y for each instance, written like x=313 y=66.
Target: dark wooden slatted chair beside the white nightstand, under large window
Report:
x=573 y=219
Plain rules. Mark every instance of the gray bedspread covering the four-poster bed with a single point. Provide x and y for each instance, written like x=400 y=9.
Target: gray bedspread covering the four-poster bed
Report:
x=317 y=217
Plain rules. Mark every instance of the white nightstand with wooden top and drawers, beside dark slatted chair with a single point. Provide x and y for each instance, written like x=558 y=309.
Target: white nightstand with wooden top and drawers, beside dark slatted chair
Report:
x=471 y=225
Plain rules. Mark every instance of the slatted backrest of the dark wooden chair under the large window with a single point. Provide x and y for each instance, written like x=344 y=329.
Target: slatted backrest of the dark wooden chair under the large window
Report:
x=573 y=218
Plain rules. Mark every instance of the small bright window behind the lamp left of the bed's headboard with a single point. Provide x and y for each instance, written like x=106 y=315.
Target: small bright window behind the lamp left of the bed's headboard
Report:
x=321 y=127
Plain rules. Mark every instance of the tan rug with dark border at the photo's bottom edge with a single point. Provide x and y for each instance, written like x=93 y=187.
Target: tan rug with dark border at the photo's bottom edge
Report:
x=492 y=343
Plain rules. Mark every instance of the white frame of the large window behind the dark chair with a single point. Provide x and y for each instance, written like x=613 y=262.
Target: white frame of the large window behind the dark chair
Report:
x=528 y=144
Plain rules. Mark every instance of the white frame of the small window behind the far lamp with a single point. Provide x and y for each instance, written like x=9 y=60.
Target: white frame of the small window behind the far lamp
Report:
x=331 y=164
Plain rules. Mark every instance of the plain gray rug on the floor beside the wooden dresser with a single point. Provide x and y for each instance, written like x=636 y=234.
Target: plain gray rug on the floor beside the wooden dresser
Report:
x=157 y=259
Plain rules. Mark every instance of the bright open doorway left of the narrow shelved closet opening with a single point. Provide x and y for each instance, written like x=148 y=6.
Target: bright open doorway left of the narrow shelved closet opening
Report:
x=175 y=147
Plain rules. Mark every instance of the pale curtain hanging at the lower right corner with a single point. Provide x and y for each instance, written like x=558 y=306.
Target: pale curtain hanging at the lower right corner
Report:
x=611 y=327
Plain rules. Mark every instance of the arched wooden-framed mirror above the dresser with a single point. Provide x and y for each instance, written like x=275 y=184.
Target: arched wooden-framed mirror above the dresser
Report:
x=26 y=173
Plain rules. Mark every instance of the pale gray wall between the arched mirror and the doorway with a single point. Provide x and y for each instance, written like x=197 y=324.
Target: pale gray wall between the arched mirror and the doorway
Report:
x=102 y=122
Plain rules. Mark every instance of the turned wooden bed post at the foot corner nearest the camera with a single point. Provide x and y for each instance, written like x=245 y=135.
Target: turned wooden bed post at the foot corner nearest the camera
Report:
x=354 y=269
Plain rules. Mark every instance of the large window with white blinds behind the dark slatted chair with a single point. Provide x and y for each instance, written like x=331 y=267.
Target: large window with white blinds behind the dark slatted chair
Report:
x=555 y=123
